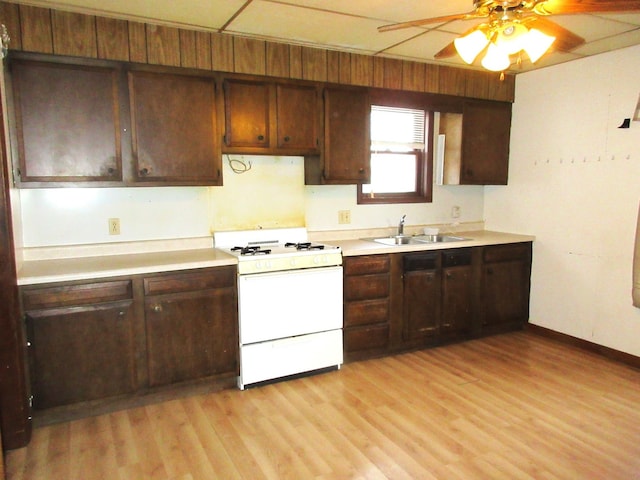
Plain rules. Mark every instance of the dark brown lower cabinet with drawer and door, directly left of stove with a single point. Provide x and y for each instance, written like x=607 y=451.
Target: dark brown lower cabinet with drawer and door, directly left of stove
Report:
x=191 y=325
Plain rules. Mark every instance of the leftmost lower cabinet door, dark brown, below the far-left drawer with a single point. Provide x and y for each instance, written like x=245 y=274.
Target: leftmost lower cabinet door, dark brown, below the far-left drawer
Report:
x=81 y=353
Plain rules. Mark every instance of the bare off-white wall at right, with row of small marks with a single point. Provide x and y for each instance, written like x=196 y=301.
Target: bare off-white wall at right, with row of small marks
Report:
x=574 y=182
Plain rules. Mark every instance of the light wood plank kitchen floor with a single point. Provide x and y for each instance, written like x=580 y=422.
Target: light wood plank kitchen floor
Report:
x=514 y=406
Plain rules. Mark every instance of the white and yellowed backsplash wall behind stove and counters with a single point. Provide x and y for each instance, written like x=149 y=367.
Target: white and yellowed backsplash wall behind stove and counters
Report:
x=271 y=194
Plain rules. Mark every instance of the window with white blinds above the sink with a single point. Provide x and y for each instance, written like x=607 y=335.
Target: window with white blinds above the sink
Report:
x=399 y=168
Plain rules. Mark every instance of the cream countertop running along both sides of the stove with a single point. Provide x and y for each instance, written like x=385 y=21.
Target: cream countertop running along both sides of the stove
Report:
x=39 y=271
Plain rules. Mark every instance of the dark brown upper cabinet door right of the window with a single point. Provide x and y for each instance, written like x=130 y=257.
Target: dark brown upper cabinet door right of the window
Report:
x=486 y=128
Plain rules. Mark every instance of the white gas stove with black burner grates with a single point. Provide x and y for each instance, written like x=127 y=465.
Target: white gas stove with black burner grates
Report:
x=289 y=303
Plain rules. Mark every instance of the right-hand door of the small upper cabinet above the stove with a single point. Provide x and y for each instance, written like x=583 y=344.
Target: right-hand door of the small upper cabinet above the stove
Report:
x=297 y=114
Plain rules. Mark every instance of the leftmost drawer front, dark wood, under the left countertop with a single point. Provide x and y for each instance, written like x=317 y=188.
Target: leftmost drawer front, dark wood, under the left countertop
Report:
x=83 y=294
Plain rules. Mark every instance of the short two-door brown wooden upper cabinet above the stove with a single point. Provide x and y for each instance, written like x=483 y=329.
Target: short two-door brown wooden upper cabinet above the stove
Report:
x=268 y=118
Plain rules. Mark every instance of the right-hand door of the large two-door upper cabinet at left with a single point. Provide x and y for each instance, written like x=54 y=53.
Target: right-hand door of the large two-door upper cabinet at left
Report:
x=175 y=138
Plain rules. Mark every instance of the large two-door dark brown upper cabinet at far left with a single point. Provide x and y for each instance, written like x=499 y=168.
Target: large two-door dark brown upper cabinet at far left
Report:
x=102 y=124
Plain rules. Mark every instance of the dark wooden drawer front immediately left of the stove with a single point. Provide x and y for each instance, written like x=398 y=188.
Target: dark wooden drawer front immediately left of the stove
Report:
x=189 y=282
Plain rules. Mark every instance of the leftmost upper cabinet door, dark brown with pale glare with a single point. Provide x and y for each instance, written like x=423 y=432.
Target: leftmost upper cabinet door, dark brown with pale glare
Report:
x=67 y=123
